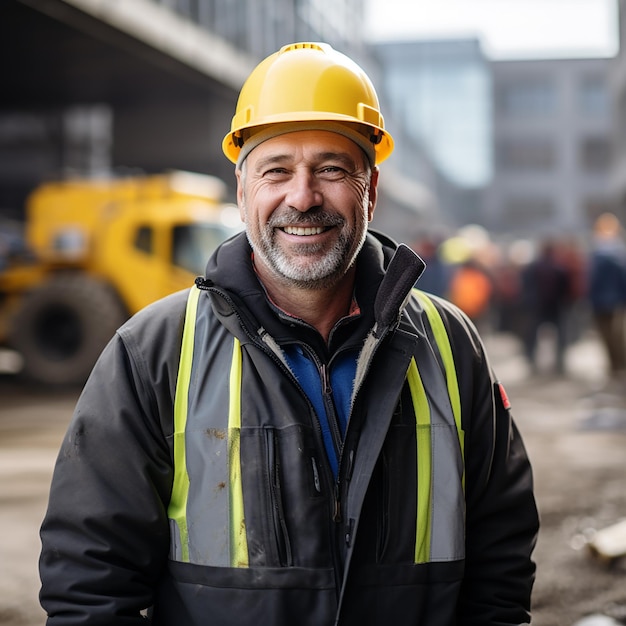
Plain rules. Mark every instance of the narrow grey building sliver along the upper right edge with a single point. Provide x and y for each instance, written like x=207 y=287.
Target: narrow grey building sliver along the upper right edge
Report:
x=618 y=89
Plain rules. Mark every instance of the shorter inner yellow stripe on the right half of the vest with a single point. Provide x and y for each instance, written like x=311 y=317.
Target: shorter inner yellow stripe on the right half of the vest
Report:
x=424 y=464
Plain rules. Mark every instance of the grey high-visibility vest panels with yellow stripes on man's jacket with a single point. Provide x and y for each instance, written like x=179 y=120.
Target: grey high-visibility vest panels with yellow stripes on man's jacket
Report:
x=207 y=518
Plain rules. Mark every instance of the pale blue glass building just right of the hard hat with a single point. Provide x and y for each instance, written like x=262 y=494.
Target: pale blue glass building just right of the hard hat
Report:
x=440 y=91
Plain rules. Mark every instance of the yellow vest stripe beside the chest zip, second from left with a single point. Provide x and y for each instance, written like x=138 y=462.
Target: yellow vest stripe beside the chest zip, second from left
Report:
x=238 y=538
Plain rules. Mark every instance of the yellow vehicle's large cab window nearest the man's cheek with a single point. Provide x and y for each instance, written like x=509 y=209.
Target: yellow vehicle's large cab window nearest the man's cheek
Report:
x=194 y=244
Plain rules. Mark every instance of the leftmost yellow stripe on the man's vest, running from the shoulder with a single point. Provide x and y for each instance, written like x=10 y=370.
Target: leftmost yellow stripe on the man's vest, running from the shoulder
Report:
x=177 y=509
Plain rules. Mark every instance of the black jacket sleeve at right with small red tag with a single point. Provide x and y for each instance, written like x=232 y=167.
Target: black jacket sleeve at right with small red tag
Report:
x=501 y=514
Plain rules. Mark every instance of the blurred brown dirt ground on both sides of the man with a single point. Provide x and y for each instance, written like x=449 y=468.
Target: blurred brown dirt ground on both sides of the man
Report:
x=575 y=435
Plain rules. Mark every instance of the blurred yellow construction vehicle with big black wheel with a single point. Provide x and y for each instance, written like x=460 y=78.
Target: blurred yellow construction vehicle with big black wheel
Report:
x=97 y=251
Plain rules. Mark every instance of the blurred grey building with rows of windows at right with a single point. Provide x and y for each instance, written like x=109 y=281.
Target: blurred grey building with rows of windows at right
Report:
x=552 y=138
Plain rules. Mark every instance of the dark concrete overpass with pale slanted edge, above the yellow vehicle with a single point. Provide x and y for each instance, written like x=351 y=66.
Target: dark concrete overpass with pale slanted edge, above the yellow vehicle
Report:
x=161 y=86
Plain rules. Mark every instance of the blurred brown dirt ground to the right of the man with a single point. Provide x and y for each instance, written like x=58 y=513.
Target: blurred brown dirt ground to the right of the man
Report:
x=575 y=433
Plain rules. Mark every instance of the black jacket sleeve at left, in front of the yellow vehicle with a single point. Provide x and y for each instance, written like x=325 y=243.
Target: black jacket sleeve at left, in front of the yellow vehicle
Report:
x=105 y=534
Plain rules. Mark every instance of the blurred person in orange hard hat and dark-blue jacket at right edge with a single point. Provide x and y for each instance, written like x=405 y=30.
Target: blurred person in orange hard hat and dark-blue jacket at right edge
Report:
x=607 y=293
